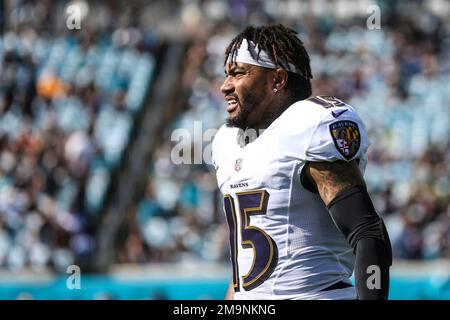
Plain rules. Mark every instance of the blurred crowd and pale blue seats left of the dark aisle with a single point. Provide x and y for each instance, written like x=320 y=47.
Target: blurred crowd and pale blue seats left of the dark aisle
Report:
x=68 y=102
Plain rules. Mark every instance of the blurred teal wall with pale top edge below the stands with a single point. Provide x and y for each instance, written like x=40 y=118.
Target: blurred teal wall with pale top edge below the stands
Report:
x=168 y=281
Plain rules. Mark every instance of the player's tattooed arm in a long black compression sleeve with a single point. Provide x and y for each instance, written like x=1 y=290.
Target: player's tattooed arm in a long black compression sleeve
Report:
x=343 y=190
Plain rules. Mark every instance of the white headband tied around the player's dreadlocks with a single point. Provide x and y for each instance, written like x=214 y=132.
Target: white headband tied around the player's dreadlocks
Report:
x=243 y=55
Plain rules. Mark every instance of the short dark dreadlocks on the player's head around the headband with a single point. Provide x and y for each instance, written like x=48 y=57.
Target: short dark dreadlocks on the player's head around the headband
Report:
x=283 y=46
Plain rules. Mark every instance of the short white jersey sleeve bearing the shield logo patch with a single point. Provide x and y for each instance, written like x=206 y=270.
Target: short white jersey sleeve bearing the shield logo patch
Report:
x=339 y=135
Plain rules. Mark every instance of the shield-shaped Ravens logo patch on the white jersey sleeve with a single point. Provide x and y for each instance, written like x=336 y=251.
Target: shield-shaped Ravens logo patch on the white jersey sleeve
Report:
x=346 y=137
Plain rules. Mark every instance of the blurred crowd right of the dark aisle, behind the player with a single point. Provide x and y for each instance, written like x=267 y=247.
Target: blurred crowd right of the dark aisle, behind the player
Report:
x=396 y=77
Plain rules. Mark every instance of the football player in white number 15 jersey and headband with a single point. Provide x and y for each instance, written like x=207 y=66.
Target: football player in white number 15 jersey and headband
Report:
x=290 y=168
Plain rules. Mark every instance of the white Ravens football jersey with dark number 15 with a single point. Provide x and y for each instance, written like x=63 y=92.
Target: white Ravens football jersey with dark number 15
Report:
x=284 y=244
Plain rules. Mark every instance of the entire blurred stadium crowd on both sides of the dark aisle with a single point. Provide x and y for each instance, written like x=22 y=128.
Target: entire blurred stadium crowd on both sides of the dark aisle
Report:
x=69 y=101
